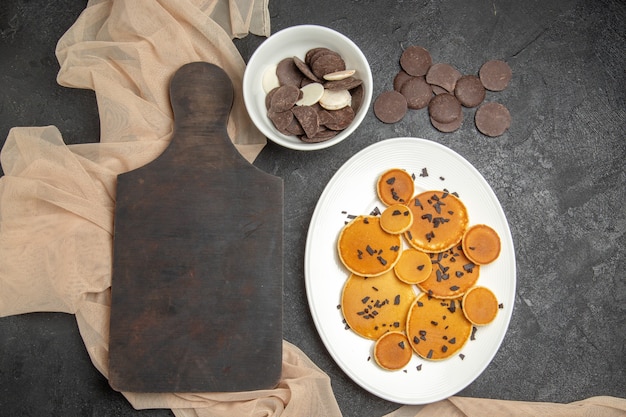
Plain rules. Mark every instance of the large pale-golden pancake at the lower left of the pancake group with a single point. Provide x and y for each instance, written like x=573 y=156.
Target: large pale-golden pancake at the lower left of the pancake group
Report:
x=376 y=305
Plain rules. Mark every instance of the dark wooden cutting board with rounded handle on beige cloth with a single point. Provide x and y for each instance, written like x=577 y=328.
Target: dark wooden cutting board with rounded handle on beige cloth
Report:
x=198 y=257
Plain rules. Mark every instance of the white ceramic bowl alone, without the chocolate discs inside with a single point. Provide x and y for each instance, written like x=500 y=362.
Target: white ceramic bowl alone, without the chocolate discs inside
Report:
x=296 y=41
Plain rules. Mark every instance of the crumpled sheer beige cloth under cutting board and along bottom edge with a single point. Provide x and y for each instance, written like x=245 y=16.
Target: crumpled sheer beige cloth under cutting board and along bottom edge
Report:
x=57 y=201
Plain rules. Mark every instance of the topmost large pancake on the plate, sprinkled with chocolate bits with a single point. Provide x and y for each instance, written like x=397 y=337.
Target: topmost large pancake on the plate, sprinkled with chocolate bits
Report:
x=439 y=221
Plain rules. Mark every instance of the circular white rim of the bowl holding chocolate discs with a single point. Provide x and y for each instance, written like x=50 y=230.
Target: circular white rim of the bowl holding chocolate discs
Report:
x=304 y=146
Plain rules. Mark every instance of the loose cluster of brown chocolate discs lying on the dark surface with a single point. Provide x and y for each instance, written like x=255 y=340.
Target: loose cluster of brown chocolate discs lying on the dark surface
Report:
x=444 y=90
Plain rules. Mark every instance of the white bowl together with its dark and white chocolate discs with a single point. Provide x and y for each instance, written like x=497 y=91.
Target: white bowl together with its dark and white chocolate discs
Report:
x=331 y=75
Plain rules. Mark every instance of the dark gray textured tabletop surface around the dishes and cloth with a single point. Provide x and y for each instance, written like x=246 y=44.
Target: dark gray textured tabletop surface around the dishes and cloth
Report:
x=559 y=173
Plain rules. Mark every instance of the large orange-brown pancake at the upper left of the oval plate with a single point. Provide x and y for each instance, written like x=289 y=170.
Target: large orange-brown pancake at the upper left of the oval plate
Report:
x=366 y=249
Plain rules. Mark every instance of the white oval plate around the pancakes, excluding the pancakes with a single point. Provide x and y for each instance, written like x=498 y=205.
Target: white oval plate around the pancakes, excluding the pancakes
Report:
x=351 y=191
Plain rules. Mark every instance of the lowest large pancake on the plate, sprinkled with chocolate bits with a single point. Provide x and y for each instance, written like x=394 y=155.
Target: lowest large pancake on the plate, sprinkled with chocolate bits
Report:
x=437 y=329
